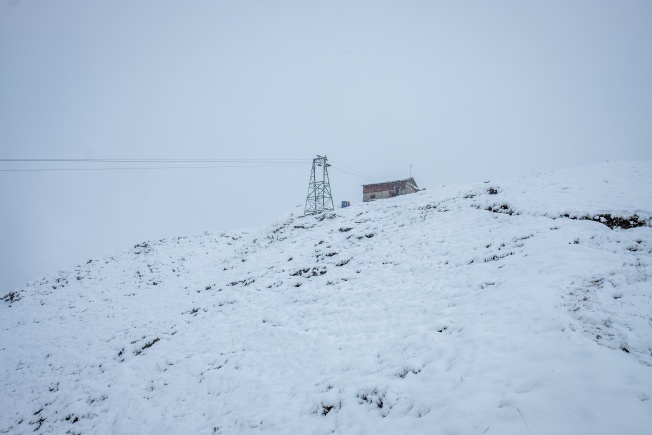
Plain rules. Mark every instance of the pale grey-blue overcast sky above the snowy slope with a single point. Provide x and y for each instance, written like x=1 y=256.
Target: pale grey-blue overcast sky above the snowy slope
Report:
x=464 y=91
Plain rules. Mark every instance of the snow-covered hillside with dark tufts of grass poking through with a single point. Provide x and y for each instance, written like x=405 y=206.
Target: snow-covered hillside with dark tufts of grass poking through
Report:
x=503 y=307
